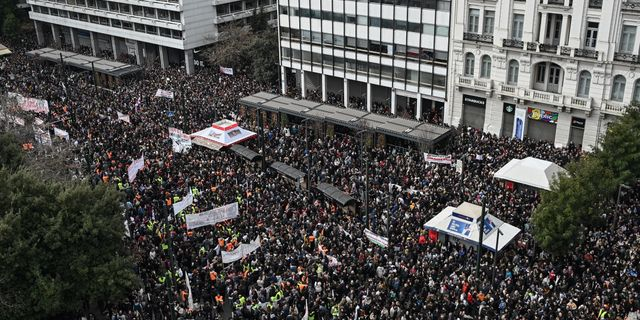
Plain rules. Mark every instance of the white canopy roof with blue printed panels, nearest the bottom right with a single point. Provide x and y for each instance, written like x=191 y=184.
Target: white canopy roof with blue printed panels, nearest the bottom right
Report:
x=457 y=223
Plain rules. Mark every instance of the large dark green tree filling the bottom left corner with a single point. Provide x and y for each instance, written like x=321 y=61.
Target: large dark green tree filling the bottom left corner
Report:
x=62 y=248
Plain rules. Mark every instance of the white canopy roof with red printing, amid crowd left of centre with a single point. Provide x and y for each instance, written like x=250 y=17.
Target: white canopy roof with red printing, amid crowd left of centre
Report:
x=221 y=134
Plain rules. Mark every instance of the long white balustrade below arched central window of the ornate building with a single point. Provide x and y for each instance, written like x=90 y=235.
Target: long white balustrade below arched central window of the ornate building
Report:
x=572 y=102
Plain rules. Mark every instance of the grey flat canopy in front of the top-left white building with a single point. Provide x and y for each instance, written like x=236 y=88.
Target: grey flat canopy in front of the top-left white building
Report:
x=104 y=66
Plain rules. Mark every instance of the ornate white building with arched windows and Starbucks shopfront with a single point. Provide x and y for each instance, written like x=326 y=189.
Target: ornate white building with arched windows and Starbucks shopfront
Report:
x=557 y=70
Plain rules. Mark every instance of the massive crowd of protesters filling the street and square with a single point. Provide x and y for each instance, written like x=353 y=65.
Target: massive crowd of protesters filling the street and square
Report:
x=414 y=278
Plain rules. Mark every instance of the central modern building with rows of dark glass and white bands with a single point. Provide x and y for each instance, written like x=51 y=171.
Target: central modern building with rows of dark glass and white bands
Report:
x=391 y=52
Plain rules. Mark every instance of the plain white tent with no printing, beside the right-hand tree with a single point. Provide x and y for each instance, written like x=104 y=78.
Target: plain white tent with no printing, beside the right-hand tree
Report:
x=530 y=171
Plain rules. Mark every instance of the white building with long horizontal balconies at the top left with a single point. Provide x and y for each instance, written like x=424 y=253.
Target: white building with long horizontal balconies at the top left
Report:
x=168 y=30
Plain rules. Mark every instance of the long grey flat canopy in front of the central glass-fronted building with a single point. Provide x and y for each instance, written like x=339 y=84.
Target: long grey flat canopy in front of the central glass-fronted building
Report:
x=351 y=118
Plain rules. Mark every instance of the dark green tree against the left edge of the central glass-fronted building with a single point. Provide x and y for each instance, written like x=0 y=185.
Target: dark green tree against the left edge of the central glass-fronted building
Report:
x=265 y=65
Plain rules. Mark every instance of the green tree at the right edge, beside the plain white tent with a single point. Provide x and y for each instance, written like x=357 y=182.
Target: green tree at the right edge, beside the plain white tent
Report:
x=577 y=201
